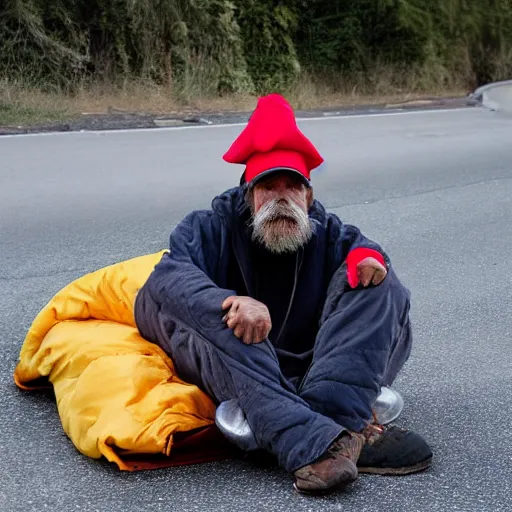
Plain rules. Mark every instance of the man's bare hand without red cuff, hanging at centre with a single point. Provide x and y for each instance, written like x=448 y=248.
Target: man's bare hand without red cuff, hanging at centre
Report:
x=249 y=319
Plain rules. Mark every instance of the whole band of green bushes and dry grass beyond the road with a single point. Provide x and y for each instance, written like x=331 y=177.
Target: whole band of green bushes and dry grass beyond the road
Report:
x=65 y=57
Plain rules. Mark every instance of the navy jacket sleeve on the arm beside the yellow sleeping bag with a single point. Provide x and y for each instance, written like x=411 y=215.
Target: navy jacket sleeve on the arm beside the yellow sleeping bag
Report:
x=181 y=290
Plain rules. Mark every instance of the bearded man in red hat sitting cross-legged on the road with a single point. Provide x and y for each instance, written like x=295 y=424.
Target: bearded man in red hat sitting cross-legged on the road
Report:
x=269 y=300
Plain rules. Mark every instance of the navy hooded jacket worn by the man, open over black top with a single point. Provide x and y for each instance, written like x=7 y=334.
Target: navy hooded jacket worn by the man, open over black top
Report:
x=212 y=257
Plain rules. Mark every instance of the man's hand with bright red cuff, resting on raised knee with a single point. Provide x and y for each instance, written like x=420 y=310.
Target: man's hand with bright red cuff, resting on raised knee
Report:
x=365 y=266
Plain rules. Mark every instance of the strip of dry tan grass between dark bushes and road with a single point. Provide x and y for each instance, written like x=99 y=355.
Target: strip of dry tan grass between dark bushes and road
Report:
x=22 y=105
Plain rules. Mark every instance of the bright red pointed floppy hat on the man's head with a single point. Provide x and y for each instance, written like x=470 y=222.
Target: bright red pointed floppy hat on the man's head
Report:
x=272 y=141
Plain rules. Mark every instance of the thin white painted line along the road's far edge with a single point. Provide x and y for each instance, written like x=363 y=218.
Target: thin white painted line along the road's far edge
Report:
x=228 y=125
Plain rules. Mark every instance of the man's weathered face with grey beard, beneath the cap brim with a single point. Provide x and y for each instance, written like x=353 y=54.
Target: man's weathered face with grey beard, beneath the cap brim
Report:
x=279 y=206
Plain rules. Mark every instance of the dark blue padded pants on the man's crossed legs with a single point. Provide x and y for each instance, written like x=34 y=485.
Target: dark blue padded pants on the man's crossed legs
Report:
x=363 y=341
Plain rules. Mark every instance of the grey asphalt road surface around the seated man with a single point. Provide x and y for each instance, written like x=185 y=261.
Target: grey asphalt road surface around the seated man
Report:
x=434 y=188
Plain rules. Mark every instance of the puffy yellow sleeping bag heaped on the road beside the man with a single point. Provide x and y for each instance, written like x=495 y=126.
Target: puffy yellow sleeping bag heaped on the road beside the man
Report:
x=117 y=394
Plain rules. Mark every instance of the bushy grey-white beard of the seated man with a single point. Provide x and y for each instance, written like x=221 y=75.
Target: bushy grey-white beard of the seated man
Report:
x=282 y=226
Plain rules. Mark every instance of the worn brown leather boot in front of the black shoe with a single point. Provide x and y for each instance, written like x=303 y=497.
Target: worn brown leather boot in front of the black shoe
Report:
x=335 y=468
